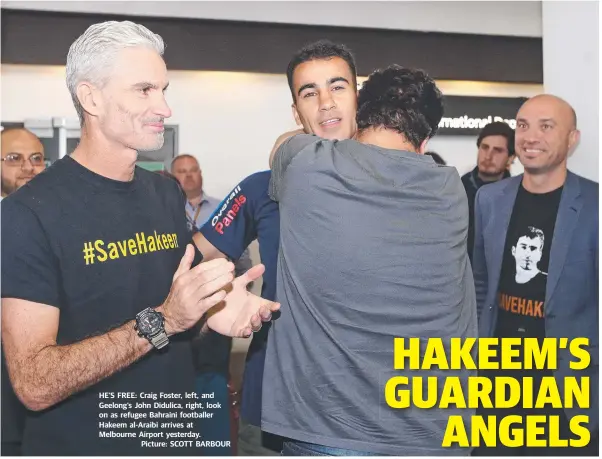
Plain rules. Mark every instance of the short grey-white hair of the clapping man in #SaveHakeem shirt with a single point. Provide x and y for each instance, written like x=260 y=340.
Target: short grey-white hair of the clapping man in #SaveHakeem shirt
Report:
x=90 y=57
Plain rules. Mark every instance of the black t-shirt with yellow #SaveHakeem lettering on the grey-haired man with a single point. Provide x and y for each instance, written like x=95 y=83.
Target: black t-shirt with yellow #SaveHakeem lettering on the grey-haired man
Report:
x=100 y=251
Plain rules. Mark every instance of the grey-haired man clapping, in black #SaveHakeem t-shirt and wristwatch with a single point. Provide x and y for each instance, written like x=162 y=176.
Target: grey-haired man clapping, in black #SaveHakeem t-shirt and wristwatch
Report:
x=102 y=289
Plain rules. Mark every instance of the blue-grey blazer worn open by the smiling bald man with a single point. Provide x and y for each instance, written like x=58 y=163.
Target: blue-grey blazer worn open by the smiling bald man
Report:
x=571 y=302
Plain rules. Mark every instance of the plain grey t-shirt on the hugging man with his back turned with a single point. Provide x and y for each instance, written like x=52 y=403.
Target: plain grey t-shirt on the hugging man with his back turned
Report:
x=372 y=248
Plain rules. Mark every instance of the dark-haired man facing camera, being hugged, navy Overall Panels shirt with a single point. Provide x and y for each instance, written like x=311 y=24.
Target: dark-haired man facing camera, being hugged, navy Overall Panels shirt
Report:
x=322 y=80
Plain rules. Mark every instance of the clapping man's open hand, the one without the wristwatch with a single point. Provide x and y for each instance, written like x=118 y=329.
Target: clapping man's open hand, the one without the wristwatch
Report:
x=241 y=313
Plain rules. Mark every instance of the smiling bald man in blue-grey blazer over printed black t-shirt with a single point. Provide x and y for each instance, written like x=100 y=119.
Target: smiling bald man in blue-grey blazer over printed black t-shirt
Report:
x=536 y=261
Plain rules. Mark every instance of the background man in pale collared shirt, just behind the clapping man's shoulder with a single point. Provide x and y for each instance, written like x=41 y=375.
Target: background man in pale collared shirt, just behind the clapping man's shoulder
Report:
x=211 y=350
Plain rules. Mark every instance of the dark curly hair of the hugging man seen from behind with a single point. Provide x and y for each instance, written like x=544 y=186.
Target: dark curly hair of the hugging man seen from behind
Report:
x=401 y=99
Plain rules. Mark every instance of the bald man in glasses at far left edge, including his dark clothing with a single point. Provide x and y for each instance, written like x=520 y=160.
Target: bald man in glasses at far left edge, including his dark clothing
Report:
x=22 y=160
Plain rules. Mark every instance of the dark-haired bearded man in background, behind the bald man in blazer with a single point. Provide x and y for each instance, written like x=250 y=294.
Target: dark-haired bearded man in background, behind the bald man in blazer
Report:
x=494 y=157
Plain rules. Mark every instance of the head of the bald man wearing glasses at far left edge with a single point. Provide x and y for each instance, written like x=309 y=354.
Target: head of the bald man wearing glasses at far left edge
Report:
x=22 y=159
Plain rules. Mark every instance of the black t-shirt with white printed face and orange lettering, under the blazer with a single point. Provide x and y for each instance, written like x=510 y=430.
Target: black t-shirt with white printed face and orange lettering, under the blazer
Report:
x=522 y=287
